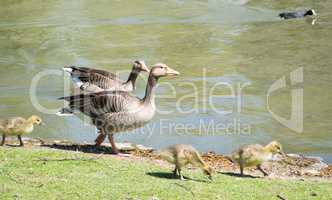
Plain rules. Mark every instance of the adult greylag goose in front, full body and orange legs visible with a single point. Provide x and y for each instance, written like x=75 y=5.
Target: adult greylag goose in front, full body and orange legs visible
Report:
x=116 y=111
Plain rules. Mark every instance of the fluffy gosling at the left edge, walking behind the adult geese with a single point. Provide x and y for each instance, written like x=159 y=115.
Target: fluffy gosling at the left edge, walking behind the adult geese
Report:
x=17 y=126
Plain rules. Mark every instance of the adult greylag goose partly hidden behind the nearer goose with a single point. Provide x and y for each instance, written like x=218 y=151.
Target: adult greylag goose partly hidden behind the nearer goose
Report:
x=96 y=80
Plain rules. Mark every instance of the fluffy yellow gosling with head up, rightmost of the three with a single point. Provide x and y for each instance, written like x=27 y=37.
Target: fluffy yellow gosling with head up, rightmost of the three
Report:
x=255 y=155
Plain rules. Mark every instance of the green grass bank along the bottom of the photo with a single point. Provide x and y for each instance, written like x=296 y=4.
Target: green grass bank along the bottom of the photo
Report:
x=23 y=176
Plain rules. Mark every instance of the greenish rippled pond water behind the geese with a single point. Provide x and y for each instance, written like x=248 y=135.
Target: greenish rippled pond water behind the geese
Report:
x=241 y=44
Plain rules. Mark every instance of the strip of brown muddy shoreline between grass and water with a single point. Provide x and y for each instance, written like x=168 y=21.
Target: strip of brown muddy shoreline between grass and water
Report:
x=294 y=167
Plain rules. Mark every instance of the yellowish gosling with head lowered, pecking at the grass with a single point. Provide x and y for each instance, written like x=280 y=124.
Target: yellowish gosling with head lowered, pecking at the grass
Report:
x=181 y=155
